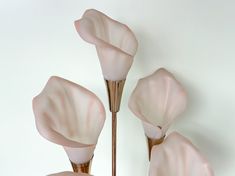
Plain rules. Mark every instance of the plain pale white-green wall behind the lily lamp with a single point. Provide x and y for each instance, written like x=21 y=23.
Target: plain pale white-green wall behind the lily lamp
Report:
x=194 y=39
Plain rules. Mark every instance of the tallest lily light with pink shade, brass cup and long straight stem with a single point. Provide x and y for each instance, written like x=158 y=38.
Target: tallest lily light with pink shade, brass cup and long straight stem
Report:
x=116 y=46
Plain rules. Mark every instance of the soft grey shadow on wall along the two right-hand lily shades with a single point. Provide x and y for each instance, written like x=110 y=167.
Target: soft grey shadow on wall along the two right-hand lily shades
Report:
x=213 y=148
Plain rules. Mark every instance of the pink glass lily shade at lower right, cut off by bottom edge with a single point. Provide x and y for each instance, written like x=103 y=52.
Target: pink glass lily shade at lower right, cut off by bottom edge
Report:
x=177 y=156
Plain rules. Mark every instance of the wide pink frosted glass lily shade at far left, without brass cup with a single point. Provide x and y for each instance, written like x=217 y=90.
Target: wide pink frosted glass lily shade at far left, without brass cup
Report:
x=69 y=115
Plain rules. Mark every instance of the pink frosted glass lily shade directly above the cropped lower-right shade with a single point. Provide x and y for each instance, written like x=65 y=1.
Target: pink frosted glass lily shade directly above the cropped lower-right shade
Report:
x=157 y=100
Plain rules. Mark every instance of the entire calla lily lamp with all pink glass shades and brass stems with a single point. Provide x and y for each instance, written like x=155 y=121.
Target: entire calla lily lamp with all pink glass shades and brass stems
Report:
x=73 y=117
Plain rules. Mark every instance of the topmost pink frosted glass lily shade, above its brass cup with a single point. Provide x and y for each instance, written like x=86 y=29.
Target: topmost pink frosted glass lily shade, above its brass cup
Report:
x=115 y=43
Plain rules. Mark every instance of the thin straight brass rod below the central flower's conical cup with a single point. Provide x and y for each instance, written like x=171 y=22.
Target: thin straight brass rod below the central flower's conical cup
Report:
x=114 y=140
